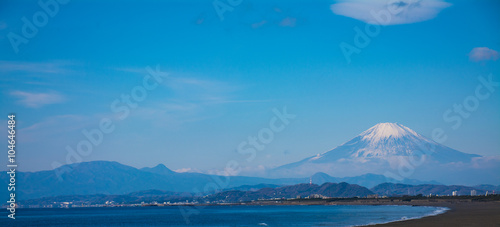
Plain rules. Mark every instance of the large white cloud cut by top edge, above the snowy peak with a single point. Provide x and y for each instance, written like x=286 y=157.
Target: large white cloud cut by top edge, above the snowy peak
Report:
x=390 y=12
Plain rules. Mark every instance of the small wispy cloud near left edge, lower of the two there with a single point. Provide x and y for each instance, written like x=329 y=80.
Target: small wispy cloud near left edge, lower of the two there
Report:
x=37 y=100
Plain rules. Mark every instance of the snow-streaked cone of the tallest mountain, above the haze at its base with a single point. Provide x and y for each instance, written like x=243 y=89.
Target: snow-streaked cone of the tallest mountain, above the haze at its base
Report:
x=386 y=140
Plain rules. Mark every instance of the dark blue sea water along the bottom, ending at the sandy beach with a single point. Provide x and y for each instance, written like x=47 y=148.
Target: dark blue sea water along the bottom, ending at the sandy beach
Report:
x=344 y=215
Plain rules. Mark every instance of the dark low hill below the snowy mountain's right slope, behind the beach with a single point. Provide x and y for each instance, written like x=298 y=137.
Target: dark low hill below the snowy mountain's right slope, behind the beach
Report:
x=390 y=189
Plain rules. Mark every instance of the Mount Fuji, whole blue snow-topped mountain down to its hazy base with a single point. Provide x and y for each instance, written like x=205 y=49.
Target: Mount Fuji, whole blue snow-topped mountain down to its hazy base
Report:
x=390 y=149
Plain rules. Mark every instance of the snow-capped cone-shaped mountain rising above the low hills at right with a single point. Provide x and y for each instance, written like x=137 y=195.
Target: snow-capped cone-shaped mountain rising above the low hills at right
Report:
x=382 y=144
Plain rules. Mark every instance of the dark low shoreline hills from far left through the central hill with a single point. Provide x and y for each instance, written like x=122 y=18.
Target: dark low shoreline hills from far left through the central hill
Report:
x=328 y=189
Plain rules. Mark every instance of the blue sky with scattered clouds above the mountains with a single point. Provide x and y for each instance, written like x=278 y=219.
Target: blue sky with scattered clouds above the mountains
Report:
x=202 y=77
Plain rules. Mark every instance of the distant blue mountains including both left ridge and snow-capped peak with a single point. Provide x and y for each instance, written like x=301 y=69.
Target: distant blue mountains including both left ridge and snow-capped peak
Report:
x=385 y=153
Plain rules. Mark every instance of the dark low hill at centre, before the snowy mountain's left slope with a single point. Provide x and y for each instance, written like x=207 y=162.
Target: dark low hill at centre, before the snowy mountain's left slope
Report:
x=327 y=189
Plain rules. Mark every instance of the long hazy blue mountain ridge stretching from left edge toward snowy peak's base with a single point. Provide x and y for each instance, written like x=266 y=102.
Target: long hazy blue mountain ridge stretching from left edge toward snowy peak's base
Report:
x=113 y=178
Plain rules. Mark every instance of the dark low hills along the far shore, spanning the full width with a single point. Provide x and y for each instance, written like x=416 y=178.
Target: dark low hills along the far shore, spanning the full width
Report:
x=260 y=192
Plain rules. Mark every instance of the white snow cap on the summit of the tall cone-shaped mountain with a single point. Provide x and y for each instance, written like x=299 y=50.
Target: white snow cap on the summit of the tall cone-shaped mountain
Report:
x=383 y=131
